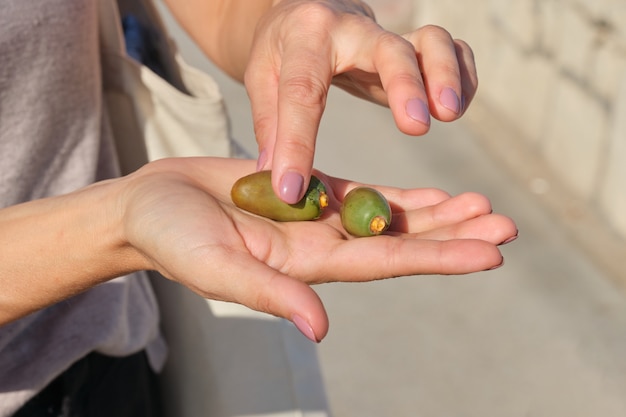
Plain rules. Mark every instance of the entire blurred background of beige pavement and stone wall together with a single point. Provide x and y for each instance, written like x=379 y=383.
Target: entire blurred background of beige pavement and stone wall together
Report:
x=545 y=140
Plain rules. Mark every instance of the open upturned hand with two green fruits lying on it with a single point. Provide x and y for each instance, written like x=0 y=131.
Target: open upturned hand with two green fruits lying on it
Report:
x=179 y=215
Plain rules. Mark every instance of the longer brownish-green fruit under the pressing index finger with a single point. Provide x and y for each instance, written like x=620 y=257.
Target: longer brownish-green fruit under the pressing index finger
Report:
x=254 y=193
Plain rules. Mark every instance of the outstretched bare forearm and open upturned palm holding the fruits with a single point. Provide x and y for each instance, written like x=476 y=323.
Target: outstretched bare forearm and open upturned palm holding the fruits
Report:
x=176 y=216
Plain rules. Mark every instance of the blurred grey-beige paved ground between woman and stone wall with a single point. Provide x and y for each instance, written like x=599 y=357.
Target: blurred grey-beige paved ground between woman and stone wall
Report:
x=545 y=335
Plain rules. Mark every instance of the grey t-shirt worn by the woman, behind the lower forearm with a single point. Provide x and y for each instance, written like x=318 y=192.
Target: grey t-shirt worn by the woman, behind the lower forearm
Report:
x=52 y=141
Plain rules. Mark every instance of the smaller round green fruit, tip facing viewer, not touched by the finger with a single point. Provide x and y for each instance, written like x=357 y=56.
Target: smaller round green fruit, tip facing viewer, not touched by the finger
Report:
x=365 y=212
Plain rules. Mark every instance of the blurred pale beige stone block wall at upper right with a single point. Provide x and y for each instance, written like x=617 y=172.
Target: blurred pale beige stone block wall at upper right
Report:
x=552 y=81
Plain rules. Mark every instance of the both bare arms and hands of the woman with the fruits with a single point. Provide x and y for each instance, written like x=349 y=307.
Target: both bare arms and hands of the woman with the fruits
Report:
x=176 y=215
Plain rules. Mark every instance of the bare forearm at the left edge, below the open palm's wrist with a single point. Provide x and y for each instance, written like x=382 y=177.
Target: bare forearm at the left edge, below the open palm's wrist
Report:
x=57 y=247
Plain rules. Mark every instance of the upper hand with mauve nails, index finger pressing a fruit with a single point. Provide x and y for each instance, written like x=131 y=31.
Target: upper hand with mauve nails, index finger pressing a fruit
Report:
x=301 y=47
